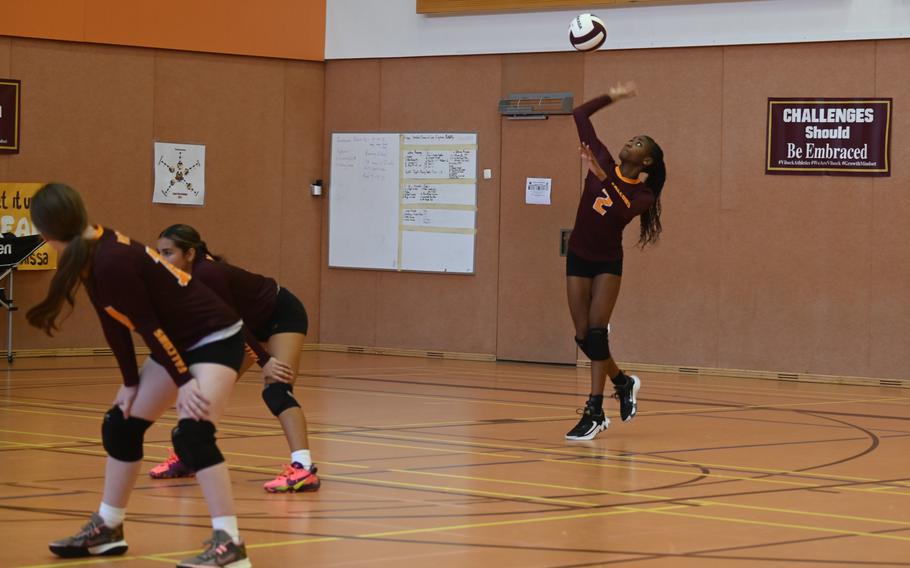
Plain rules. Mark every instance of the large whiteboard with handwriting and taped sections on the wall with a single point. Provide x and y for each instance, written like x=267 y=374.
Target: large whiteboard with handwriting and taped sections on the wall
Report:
x=403 y=201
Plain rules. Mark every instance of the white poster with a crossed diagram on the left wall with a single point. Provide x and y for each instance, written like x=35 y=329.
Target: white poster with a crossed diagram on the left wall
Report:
x=179 y=174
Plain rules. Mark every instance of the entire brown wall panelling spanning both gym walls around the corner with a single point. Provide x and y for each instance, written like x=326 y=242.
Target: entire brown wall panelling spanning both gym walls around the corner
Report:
x=781 y=273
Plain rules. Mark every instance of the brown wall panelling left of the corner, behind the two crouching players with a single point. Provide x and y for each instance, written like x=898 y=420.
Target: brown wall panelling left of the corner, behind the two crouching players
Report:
x=90 y=115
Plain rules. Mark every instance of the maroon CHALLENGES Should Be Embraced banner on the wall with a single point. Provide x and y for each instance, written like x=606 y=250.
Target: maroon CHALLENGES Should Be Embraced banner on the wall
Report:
x=829 y=136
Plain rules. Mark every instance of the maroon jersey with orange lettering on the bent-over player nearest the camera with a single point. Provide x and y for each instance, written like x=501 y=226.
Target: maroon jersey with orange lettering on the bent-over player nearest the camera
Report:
x=134 y=289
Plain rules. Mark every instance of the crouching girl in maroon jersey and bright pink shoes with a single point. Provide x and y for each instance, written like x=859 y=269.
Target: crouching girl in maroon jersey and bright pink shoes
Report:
x=275 y=317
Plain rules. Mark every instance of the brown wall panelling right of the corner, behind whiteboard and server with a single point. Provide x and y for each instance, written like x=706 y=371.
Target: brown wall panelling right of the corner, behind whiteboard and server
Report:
x=781 y=273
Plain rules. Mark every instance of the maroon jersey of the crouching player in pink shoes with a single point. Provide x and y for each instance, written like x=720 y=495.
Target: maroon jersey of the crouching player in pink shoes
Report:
x=252 y=295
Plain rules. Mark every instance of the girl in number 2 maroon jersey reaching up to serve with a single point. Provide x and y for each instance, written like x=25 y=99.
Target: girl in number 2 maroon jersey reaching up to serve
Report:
x=614 y=194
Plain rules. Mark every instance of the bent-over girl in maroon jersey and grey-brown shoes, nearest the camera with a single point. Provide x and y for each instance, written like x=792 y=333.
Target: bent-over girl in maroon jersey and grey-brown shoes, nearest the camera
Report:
x=196 y=350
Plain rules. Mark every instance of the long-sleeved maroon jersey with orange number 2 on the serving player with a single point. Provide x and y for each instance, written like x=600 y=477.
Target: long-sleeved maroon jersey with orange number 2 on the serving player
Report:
x=606 y=207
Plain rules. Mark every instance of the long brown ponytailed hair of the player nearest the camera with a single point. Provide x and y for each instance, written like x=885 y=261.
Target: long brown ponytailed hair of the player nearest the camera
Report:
x=59 y=214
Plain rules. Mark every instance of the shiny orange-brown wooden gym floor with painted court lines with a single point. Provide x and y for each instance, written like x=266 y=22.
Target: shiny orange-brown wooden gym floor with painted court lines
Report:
x=453 y=463
